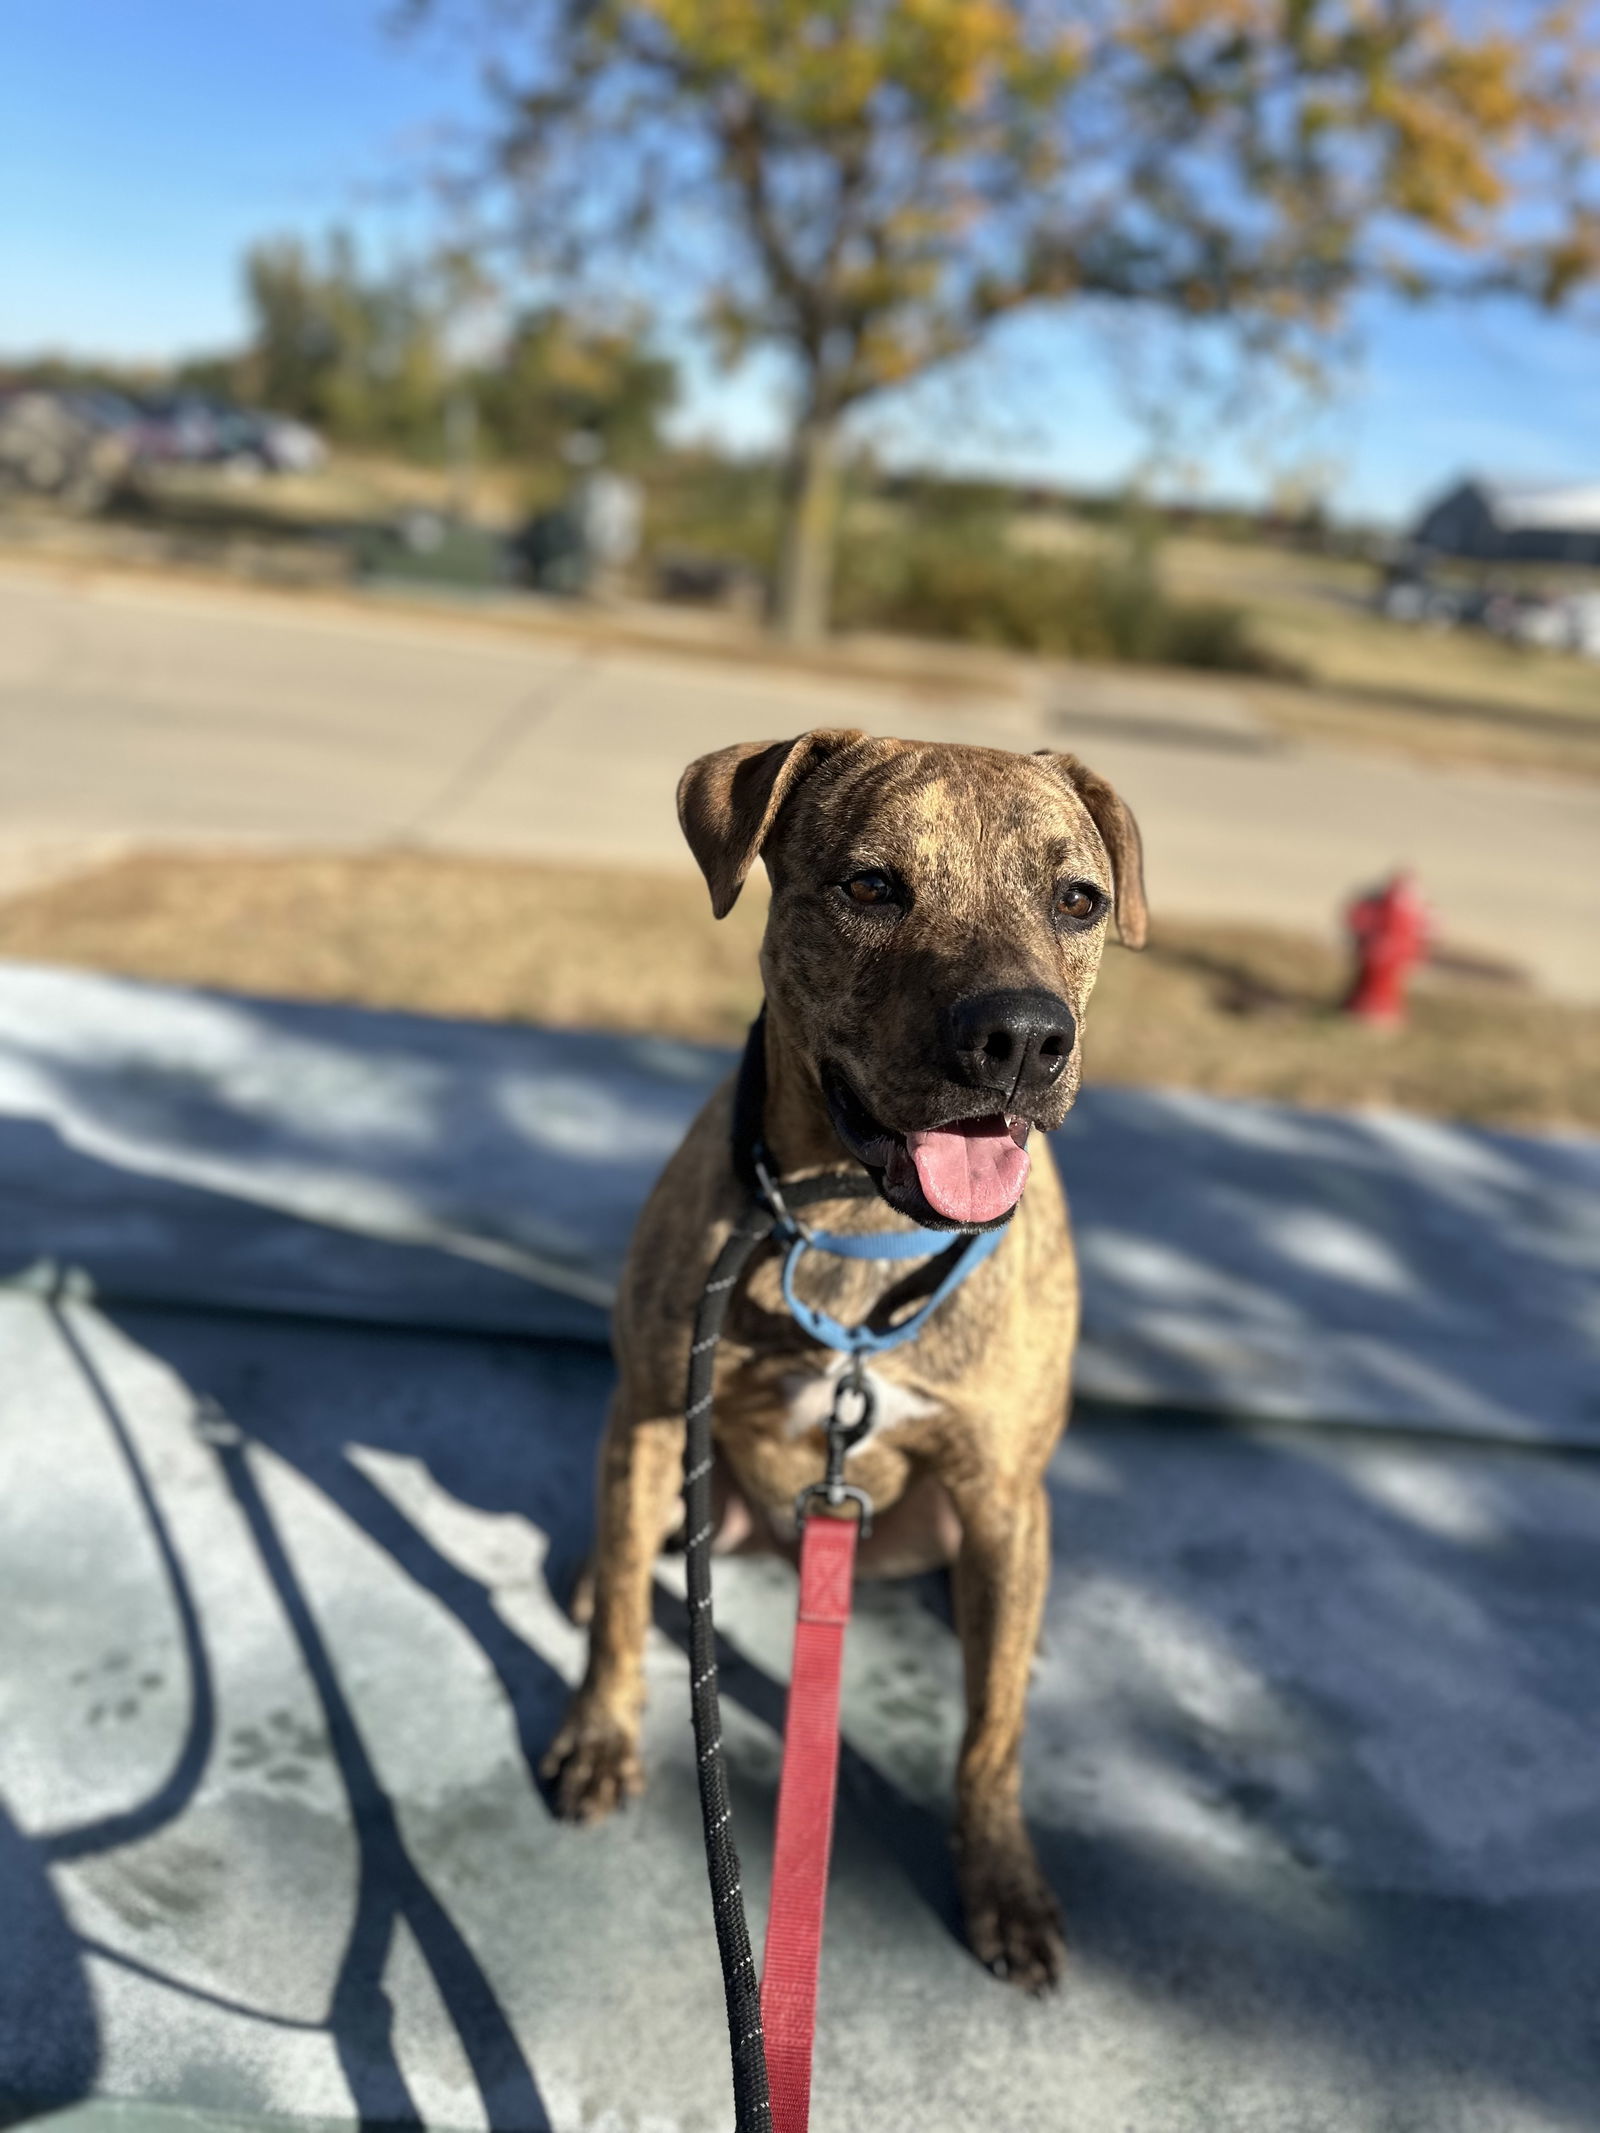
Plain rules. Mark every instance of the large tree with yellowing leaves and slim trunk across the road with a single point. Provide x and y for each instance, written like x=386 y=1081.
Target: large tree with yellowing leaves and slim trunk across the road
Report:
x=869 y=185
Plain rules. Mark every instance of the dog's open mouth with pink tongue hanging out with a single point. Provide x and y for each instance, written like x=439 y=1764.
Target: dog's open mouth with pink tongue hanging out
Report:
x=961 y=1176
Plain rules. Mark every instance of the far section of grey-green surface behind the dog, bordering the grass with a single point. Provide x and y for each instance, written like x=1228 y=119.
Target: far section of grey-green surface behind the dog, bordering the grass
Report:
x=400 y=1170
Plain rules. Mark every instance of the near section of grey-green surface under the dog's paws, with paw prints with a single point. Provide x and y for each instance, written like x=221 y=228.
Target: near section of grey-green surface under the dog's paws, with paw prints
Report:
x=1309 y=1761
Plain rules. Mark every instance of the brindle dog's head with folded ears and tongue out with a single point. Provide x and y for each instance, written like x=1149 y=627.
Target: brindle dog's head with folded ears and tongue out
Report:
x=938 y=925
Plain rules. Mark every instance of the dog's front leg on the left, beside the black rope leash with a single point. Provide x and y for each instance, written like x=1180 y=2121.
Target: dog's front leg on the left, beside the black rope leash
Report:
x=594 y=1763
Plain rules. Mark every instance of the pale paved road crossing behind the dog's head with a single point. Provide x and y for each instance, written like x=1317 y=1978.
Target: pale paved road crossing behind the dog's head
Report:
x=135 y=711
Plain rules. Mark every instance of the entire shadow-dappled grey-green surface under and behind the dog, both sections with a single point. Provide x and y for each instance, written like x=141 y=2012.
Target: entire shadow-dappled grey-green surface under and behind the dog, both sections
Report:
x=281 y=1633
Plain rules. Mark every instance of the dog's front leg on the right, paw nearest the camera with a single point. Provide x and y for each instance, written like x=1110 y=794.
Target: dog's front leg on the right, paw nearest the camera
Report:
x=1002 y=1575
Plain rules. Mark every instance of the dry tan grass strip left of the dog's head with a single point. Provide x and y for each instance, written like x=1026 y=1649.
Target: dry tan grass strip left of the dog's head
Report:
x=441 y=935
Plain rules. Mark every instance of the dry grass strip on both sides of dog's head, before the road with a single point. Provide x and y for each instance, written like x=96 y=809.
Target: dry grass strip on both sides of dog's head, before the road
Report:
x=1226 y=1010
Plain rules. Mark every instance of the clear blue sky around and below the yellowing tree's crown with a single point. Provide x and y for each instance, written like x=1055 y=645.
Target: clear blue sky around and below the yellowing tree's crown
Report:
x=144 y=146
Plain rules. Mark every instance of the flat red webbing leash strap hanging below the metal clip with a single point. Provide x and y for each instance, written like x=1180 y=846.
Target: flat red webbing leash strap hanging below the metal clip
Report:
x=805 y=1831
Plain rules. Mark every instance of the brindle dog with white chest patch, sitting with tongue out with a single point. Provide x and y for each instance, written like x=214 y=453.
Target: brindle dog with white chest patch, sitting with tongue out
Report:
x=935 y=931
